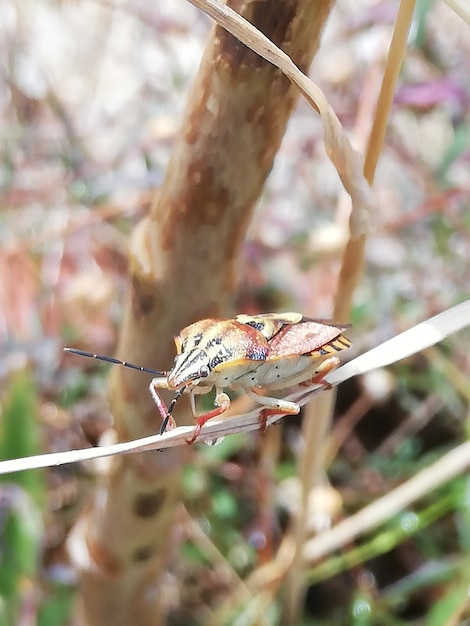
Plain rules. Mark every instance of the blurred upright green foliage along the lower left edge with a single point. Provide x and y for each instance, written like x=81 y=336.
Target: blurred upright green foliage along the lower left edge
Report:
x=23 y=590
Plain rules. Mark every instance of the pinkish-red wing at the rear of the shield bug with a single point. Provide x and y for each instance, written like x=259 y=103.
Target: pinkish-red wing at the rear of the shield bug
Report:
x=308 y=337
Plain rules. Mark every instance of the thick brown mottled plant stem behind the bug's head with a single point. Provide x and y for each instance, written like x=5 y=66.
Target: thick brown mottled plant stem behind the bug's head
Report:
x=183 y=268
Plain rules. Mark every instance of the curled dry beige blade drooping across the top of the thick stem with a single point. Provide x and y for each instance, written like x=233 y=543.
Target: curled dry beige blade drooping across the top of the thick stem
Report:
x=347 y=161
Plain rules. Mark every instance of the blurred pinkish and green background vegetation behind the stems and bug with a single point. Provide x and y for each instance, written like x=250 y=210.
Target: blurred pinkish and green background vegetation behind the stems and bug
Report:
x=91 y=97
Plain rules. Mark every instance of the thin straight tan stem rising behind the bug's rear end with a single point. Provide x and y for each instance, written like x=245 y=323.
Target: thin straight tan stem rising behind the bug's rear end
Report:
x=311 y=464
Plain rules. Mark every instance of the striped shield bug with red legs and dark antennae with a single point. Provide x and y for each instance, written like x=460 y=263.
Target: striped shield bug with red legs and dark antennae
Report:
x=250 y=352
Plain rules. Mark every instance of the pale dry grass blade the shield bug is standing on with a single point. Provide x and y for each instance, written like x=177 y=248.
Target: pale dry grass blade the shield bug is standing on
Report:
x=403 y=345
